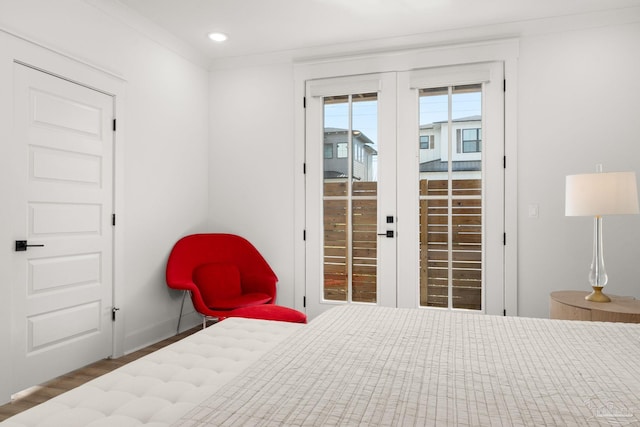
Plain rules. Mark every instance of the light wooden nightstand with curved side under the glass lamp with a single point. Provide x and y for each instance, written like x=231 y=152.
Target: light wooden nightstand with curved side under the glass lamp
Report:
x=571 y=305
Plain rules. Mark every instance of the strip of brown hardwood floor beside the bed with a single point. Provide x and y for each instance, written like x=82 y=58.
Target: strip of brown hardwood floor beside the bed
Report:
x=41 y=393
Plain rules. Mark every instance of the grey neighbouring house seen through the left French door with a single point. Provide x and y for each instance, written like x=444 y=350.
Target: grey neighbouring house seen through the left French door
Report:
x=336 y=155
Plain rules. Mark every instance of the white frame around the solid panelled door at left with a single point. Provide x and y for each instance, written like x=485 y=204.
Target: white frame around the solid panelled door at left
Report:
x=16 y=48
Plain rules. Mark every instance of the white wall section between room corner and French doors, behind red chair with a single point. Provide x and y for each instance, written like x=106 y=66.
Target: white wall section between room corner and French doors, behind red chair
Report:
x=252 y=163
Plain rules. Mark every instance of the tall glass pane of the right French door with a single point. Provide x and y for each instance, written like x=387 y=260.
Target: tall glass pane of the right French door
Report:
x=451 y=197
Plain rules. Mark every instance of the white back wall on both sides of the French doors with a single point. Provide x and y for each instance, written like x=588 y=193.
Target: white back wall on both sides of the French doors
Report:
x=578 y=91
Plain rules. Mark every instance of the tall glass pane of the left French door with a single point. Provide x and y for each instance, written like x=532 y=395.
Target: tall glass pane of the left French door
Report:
x=350 y=198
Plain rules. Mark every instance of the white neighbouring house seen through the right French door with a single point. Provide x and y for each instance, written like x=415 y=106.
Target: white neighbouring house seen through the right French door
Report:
x=466 y=153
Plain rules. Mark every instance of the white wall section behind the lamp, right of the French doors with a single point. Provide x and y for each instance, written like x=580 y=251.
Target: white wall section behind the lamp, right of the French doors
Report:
x=579 y=105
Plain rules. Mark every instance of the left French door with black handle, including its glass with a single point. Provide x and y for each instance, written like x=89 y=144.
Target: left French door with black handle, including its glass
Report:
x=350 y=192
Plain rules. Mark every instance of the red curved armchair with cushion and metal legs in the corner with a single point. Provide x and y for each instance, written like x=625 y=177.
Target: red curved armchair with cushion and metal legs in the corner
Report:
x=222 y=272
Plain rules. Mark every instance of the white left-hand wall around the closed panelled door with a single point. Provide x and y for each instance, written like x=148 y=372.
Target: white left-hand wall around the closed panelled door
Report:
x=162 y=138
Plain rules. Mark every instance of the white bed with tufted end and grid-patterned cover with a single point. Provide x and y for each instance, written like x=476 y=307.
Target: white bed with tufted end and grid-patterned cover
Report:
x=363 y=365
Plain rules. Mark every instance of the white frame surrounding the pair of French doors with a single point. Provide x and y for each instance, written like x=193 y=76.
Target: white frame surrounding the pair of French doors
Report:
x=505 y=51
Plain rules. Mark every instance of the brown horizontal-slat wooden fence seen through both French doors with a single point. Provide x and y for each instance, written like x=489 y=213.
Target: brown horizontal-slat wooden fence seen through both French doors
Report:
x=466 y=227
